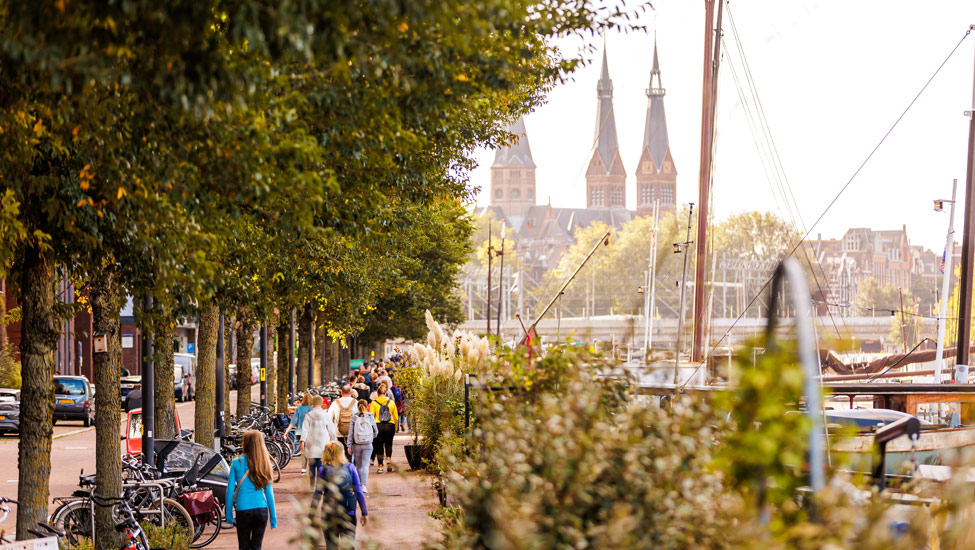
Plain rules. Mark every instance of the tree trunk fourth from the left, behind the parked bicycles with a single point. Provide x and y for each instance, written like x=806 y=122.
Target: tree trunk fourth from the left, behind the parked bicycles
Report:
x=206 y=376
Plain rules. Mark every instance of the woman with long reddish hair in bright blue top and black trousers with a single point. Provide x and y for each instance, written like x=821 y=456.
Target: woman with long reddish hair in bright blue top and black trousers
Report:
x=251 y=502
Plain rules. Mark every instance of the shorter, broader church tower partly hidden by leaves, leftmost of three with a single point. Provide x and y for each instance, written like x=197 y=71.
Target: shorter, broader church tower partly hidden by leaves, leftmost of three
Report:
x=513 y=173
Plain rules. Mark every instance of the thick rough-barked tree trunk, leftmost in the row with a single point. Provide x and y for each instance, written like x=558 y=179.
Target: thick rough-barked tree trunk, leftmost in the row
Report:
x=39 y=338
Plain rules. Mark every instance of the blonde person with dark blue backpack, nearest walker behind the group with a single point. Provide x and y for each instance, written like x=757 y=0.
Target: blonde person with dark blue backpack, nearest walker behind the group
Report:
x=339 y=491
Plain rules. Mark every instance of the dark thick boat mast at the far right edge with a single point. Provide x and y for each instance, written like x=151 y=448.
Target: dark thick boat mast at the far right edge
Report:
x=968 y=242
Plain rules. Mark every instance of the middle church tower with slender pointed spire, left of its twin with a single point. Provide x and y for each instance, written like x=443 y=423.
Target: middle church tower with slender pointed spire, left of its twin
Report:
x=605 y=178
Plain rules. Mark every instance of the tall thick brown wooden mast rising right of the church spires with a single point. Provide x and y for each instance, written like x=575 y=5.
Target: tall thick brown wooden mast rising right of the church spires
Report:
x=712 y=53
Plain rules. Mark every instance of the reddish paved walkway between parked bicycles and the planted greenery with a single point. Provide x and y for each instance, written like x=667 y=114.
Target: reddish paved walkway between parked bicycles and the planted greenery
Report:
x=399 y=505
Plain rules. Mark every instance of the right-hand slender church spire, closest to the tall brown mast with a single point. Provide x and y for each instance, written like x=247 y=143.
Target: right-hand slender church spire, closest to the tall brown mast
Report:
x=656 y=177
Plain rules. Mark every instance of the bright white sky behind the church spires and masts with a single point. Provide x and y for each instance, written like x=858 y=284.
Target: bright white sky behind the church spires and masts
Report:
x=832 y=77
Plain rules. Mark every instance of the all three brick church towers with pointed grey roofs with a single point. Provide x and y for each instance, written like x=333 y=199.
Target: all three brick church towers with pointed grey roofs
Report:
x=513 y=171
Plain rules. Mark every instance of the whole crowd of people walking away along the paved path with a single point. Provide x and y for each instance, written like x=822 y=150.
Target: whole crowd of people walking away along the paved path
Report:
x=337 y=446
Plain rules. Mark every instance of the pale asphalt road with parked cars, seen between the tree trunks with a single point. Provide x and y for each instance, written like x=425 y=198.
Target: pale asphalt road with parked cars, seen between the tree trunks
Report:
x=72 y=451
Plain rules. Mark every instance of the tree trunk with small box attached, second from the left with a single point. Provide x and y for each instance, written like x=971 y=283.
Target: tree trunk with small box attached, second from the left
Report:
x=105 y=307
